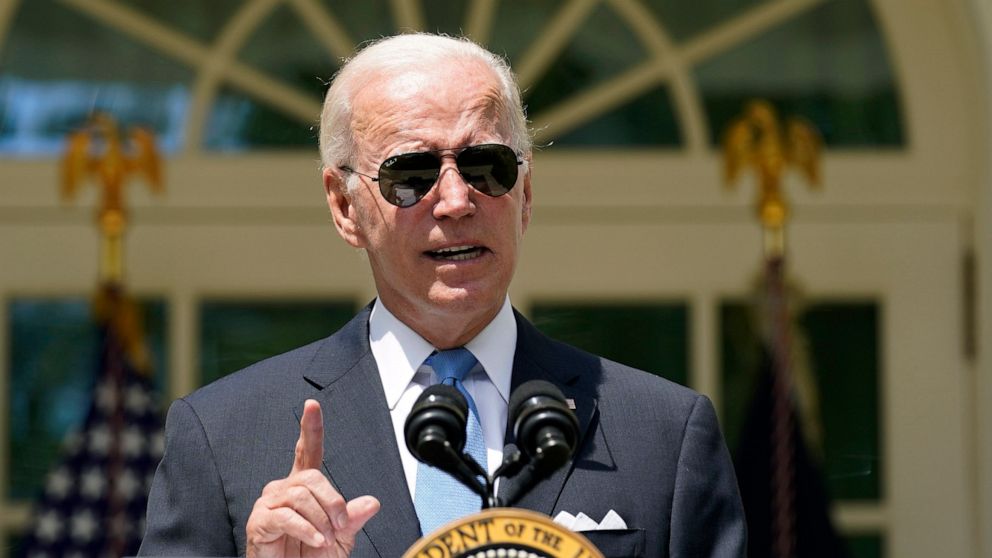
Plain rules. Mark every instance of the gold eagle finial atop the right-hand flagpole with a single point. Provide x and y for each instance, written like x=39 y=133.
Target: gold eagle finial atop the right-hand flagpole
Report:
x=756 y=140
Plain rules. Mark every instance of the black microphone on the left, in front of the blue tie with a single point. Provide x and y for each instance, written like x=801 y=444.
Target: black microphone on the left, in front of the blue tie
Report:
x=435 y=434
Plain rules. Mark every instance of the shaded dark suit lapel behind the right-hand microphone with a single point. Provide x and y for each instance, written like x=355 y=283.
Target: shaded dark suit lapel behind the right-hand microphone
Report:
x=534 y=360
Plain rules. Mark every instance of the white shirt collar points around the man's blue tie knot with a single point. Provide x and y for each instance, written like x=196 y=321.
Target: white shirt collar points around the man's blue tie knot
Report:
x=399 y=351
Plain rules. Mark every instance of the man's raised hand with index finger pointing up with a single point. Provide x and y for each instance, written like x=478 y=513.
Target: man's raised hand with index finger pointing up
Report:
x=302 y=515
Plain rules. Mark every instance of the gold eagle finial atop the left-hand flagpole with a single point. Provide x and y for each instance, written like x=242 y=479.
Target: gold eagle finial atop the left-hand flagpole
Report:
x=98 y=152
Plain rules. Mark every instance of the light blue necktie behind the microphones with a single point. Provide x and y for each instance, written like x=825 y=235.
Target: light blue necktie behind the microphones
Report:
x=439 y=498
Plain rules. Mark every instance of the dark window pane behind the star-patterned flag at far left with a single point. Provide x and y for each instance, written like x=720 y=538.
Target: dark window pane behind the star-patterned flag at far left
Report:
x=54 y=364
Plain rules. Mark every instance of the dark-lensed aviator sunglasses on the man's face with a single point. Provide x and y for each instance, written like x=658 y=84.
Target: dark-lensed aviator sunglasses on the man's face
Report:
x=405 y=179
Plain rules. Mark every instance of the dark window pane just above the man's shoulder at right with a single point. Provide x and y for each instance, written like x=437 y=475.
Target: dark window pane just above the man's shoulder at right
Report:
x=649 y=336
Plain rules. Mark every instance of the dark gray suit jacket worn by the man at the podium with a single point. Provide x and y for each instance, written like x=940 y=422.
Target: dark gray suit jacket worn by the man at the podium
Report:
x=649 y=449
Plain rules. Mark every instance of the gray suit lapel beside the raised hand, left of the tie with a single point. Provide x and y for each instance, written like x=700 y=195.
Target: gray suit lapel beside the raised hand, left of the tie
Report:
x=360 y=453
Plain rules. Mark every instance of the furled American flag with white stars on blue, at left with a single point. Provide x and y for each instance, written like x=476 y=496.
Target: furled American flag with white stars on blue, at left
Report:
x=94 y=499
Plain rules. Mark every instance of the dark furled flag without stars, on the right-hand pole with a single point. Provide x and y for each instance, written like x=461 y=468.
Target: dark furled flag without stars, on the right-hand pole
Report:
x=782 y=485
